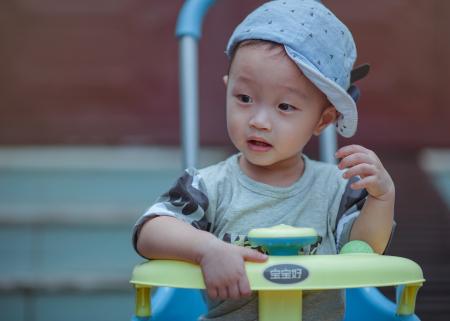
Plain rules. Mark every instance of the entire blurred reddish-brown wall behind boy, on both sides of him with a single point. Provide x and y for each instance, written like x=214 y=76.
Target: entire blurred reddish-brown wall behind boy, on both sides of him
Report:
x=106 y=71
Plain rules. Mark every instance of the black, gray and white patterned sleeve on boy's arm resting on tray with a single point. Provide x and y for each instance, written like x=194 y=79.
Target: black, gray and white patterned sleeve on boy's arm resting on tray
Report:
x=187 y=200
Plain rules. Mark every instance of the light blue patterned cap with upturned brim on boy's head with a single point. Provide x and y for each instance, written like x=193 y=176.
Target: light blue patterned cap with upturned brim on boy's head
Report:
x=318 y=42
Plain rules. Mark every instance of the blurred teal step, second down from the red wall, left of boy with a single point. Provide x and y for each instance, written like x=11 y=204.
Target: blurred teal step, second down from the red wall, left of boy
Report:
x=62 y=257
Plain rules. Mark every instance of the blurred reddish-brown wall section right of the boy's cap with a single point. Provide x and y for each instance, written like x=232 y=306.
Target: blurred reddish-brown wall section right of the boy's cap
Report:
x=407 y=97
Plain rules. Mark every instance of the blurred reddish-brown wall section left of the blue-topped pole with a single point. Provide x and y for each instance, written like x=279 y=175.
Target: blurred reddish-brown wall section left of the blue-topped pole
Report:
x=88 y=71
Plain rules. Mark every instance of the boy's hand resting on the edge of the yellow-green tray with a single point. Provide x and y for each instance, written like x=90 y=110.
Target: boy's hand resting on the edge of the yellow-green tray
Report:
x=223 y=269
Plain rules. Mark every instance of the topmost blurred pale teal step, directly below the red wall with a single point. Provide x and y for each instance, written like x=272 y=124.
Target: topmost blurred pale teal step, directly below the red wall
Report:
x=86 y=185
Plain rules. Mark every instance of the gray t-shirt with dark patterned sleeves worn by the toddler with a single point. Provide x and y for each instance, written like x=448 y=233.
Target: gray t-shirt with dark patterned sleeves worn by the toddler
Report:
x=221 y=199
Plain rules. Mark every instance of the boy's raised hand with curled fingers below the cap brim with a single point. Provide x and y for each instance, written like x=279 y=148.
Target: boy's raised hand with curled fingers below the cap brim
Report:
x=365 y=163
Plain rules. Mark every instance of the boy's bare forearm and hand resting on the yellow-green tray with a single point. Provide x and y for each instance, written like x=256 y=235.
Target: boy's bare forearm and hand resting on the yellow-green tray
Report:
x=222 y=264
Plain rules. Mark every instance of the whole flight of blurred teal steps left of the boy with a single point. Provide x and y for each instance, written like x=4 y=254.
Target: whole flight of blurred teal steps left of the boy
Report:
x=66 y=216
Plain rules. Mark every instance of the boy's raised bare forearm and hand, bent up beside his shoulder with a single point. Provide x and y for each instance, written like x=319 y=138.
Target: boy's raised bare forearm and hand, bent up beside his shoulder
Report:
x=374 y=224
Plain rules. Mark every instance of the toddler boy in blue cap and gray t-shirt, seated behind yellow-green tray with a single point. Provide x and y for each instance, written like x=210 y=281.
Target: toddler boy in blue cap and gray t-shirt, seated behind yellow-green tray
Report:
x=290 y=67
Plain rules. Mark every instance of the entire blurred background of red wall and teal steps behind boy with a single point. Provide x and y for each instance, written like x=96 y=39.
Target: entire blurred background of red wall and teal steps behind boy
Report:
x=89 y=129
